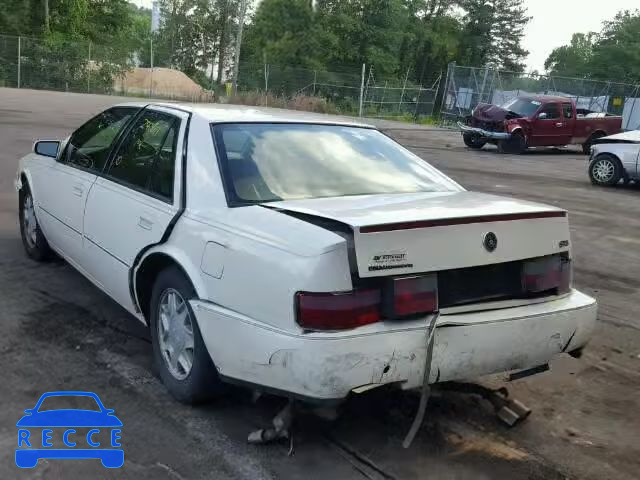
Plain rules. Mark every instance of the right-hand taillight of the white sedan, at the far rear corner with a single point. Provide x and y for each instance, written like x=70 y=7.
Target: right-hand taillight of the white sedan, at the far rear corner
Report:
x=547 y=273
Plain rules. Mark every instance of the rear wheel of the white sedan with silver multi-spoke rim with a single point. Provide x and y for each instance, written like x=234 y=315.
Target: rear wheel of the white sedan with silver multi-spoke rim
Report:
x=190 y=384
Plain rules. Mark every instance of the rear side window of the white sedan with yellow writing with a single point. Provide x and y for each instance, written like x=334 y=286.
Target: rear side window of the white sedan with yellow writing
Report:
x=146 y=157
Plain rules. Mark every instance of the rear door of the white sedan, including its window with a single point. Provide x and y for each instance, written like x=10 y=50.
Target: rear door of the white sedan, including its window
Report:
x=132 y=204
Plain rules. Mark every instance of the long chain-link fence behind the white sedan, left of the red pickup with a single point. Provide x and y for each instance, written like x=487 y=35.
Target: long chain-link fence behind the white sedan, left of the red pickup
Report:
x=86 y=67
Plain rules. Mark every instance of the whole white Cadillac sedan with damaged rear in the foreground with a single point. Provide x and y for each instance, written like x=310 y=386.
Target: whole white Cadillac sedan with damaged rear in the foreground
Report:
x=298 y=254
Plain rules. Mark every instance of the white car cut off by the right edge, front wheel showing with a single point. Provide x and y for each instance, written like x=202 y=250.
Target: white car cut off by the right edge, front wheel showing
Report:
x=615 y=158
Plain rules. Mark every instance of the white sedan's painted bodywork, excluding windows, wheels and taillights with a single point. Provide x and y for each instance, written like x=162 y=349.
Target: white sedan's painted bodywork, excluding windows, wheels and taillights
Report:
x=247 y=263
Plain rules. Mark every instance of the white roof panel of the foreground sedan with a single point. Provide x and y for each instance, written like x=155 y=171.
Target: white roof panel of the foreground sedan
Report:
x=219 y=113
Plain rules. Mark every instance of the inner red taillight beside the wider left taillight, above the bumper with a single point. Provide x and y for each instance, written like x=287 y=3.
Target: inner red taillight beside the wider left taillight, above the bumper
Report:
x=411 y=296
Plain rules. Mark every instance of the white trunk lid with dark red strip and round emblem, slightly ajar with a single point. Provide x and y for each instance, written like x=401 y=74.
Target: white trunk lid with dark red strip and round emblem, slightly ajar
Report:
x=422 y=232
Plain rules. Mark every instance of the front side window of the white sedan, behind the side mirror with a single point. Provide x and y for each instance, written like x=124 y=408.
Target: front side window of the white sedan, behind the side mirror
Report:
x=90 y=145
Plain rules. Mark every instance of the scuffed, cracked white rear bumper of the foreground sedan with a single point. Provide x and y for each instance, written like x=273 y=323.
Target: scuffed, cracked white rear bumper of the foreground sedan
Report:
x=328 y=366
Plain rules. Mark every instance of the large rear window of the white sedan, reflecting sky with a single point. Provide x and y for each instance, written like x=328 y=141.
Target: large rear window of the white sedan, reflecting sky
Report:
x=271 y=162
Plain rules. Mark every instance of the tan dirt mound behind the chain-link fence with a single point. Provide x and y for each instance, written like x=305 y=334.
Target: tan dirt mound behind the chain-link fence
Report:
x=161 y=82
